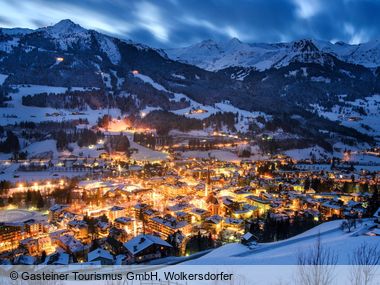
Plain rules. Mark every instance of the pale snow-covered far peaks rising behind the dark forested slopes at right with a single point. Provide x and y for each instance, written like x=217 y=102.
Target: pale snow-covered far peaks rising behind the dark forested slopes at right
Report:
x=214 y=56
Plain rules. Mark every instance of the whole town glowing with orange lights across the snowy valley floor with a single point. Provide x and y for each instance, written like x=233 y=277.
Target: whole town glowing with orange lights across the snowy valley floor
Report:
x=119 y=208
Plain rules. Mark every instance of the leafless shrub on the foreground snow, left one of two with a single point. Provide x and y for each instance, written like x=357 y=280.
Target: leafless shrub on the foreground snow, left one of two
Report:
x=316 y=266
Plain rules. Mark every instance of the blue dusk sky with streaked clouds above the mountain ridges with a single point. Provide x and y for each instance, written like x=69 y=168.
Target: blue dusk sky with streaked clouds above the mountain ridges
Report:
x=167 y=23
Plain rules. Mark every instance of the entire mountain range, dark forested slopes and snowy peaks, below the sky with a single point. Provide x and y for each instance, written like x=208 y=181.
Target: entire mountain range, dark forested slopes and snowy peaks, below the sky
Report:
x=312 y=89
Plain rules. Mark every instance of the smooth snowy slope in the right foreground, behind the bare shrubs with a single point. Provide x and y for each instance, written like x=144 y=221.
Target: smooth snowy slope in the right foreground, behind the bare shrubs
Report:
x=287 y=251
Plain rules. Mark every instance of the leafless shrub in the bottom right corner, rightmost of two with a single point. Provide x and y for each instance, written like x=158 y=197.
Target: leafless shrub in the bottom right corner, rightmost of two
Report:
x=364 y=262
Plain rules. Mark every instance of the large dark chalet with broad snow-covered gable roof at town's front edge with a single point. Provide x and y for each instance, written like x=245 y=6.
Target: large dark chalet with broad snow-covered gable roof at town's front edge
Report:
x=146 y=247
